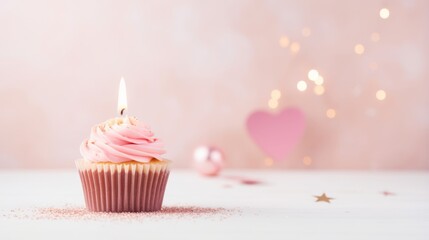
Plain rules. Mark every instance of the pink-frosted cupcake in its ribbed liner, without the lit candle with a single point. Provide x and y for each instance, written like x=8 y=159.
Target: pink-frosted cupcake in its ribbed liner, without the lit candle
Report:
x=122 y=169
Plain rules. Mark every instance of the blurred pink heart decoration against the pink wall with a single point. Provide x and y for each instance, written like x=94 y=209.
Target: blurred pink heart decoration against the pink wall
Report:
x=276 y=134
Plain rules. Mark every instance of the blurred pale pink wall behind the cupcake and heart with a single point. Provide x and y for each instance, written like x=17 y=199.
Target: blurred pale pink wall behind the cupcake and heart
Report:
x=196 y=69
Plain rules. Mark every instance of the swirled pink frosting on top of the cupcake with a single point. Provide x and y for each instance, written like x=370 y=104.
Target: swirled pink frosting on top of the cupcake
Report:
x=119 y=140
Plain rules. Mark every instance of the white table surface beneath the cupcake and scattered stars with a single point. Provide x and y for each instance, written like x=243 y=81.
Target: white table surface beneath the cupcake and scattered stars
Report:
x=283 y=207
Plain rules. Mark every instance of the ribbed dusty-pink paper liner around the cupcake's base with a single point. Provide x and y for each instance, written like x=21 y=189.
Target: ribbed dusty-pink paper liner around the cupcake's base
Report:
x=124 y=187
